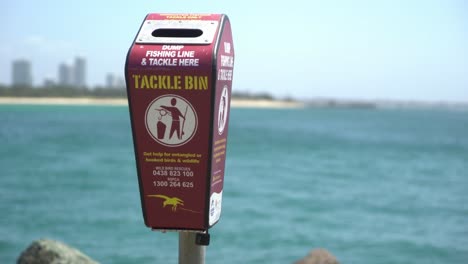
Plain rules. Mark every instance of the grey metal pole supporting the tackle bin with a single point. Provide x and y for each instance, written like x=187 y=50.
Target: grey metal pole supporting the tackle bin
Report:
x=189 y=251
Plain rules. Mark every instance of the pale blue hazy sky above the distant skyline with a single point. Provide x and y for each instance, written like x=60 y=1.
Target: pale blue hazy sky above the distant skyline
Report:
x=361 y=49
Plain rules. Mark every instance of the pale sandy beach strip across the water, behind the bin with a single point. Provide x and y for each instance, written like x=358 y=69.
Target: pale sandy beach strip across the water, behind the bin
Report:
x=244 y=103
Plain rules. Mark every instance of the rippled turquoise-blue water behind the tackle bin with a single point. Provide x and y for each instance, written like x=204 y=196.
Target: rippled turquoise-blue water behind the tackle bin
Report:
x=371 y=186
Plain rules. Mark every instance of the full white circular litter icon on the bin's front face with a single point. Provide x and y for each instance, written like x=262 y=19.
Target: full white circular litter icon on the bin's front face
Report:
x=171 y=120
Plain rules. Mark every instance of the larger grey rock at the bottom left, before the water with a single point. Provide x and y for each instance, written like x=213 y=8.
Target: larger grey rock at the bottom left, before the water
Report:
x=47 y=251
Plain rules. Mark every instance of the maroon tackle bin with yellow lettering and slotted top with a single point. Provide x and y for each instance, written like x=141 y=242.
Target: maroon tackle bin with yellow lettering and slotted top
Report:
x=183 y=64
